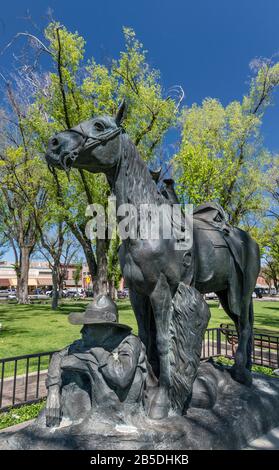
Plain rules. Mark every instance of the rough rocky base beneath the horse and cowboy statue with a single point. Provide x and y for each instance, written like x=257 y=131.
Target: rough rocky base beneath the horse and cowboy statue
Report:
x=222 y=415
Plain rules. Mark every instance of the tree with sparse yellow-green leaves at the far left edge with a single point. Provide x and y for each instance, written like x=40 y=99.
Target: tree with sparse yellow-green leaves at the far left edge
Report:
x=21 y=183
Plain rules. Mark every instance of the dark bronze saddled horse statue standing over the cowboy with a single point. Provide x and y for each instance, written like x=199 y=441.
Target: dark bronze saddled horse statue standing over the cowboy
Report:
x=223 y=259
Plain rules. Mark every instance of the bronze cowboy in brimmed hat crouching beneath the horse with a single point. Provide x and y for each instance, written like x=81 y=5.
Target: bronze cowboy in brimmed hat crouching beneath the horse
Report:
x=106 y=369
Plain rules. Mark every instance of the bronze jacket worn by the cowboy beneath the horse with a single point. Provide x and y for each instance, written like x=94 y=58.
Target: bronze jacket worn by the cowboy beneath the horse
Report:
x=115 y=375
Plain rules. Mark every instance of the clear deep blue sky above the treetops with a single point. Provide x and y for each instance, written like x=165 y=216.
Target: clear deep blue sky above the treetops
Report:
x=203 y=45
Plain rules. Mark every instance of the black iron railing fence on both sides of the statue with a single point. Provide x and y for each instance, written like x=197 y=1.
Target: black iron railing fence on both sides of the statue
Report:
x=22 y=378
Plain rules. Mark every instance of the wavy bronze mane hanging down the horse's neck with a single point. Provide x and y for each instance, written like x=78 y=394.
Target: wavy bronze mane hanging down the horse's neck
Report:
x=140 y=186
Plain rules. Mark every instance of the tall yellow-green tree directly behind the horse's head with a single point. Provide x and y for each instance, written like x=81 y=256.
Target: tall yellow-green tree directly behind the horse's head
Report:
x=75 y=91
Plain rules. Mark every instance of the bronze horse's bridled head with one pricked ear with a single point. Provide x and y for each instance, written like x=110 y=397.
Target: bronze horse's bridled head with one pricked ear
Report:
x=93 y=145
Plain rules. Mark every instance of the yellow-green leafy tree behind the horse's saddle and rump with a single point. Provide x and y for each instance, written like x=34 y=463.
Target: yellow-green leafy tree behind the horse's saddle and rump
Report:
x=221 y=157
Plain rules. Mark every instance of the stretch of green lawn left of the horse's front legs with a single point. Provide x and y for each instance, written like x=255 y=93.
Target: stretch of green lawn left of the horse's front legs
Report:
x=27 y=329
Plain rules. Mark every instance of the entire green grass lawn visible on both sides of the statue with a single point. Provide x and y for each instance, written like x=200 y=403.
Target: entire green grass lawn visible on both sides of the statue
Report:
x=30 y=329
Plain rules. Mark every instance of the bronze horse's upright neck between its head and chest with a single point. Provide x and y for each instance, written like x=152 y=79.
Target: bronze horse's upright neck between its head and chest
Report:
x=133 y=183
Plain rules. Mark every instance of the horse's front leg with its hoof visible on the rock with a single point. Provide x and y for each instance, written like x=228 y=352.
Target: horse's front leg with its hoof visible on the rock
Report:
x=161 y=304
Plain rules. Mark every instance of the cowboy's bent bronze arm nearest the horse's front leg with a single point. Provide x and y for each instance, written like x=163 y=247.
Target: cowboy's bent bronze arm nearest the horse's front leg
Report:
x=121 y=364
